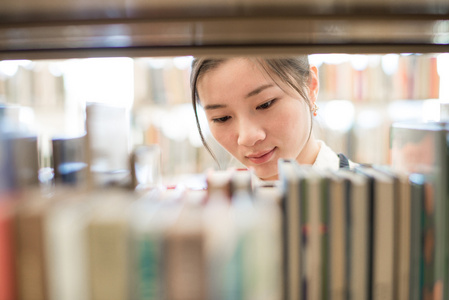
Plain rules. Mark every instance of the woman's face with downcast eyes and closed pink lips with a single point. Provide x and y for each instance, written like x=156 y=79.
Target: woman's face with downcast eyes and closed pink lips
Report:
x=253 y=118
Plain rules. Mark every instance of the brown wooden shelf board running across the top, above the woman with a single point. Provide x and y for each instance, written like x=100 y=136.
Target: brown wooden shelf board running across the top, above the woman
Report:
x=226 y=29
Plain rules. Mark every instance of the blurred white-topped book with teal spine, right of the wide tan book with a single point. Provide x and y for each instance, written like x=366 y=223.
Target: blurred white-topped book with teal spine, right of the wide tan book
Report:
x=150 y=218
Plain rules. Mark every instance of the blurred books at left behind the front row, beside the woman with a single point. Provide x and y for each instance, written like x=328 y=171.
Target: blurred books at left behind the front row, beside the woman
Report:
x=28 y=157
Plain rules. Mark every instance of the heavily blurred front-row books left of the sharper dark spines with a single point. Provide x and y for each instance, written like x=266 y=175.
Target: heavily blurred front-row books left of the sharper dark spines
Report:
x=165 y=243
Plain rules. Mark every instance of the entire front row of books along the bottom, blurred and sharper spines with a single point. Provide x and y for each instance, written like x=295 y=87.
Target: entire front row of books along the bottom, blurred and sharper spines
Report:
x=372 y=233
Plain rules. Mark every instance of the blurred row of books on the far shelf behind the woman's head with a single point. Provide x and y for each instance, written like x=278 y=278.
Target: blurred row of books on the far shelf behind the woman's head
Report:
x=165 y=81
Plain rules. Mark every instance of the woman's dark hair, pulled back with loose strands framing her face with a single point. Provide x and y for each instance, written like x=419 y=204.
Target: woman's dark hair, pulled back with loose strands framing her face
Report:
x=293 y=72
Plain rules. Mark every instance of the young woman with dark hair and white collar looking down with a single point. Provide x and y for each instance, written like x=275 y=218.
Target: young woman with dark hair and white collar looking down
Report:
x=261 y=110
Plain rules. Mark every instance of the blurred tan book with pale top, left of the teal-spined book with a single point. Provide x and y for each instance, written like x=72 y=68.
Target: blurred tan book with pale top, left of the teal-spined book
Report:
x=108 y=248
